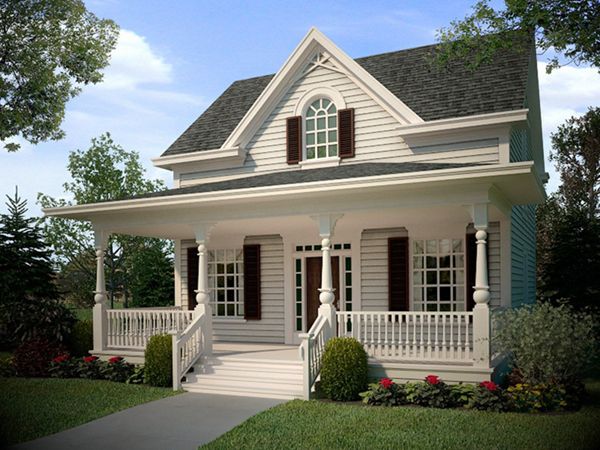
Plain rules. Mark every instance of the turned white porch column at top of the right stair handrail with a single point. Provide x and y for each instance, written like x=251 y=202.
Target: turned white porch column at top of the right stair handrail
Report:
x=326 y=292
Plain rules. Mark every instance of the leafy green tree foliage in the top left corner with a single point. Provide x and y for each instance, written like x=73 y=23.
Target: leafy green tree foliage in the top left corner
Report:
x=48 y=49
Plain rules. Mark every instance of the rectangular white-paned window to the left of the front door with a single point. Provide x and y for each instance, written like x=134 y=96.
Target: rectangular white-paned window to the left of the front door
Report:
x=226 y=282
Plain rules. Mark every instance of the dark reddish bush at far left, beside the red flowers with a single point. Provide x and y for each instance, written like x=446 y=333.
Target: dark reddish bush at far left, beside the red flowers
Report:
x=32 y=358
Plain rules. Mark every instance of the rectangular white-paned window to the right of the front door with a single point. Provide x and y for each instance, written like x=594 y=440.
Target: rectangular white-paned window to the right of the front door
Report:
x=438 y=275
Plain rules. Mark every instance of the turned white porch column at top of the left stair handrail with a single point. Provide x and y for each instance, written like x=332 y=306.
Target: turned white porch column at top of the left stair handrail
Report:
x=202 y=232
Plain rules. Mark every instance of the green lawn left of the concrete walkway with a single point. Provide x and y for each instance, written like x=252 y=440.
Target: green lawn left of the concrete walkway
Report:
x=36 y=407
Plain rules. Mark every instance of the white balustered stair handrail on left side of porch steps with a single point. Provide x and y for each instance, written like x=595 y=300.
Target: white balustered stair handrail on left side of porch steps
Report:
x=187 y=348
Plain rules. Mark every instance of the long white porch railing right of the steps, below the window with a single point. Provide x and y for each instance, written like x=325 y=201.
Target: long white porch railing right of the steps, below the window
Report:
x=411 y=336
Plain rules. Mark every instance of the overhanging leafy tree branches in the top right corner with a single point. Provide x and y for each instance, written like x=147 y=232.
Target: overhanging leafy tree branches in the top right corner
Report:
x=569 y=27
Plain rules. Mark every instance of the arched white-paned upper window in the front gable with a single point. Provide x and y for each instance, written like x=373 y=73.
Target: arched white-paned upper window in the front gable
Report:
x=321 y=130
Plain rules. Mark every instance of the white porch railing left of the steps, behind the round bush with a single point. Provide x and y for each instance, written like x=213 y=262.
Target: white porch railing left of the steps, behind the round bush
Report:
x=132 y=328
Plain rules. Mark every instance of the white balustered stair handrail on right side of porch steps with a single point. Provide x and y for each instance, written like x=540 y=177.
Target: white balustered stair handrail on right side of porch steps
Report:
x=311 y=352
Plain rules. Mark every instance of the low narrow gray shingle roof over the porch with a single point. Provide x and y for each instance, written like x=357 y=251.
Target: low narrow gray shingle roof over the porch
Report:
x=345 y=171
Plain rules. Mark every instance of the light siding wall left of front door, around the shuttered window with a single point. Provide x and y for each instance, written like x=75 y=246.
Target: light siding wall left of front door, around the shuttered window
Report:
x=271 y=326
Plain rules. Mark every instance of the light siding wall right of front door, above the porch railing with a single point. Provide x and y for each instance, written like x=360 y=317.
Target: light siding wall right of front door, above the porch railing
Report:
x=374 y=266
